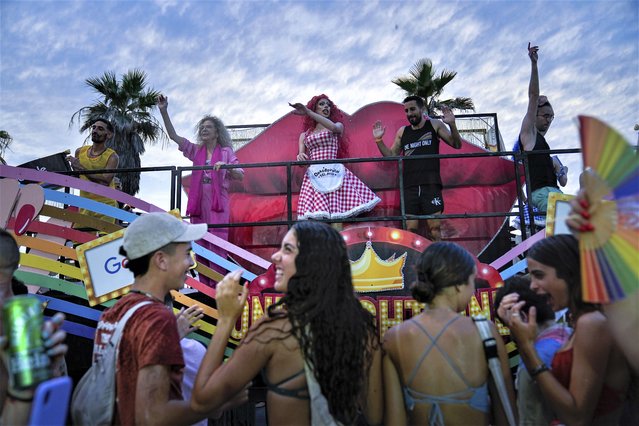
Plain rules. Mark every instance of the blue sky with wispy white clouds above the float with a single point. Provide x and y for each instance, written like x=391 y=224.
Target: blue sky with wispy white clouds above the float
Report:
x=245 y=60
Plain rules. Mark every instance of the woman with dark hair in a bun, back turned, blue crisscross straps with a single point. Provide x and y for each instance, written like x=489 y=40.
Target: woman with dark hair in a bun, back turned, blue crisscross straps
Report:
x=435 y=370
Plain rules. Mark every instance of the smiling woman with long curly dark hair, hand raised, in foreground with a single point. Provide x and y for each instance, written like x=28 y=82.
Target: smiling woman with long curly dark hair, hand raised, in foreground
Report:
x=317 y=347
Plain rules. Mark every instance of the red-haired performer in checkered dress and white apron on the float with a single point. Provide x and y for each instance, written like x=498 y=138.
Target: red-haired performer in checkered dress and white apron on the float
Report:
x=328 y=191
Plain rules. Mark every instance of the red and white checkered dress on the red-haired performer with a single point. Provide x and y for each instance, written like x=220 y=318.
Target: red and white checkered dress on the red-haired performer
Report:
x=351 y=199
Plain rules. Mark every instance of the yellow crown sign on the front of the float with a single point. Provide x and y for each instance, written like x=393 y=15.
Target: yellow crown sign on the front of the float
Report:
x=371 y=273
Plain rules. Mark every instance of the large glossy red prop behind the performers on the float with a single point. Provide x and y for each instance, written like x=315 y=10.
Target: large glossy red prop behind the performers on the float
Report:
x=471 y=185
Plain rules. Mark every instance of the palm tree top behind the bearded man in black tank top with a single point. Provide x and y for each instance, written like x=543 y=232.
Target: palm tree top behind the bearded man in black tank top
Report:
x=422 y=82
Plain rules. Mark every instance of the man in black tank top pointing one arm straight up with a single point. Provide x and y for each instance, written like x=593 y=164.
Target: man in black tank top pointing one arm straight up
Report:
x=544 y=170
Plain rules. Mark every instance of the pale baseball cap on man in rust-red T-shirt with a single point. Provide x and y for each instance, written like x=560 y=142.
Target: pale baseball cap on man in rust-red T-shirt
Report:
x=152 y=231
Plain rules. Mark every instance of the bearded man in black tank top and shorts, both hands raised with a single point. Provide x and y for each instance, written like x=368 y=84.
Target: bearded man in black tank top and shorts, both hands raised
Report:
x=422 y=179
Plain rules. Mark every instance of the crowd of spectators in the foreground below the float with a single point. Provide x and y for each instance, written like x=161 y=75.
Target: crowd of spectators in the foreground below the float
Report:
x=319 y=352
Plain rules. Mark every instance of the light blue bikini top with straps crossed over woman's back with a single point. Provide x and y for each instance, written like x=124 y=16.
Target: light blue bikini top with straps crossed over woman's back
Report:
x=474 y=397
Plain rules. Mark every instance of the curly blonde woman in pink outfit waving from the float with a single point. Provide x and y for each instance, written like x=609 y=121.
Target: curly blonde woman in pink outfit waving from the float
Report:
x=209 y=190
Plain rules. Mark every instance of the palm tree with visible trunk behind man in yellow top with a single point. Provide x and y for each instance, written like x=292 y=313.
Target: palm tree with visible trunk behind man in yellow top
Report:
x=127 y=105
